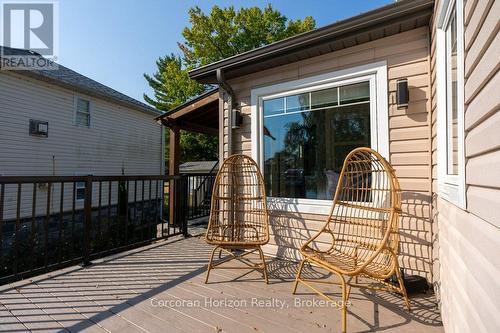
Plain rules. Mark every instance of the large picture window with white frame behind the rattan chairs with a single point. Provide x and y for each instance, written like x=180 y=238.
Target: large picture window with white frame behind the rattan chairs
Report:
x=302 y=130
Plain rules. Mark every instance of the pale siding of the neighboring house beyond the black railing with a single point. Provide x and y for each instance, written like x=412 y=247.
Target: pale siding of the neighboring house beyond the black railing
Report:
x=119 y=138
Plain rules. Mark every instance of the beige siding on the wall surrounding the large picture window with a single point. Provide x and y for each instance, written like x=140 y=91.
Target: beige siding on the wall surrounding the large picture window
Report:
x=407 y=56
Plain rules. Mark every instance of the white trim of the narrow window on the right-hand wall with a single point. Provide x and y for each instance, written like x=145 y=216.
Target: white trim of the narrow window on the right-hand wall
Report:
x=450 y=187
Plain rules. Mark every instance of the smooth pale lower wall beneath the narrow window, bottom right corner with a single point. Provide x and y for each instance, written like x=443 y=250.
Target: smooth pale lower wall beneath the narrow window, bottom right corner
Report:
x=469 y=261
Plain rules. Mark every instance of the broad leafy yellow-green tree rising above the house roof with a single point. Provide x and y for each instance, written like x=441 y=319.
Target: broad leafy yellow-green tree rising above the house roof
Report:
x=226 y=32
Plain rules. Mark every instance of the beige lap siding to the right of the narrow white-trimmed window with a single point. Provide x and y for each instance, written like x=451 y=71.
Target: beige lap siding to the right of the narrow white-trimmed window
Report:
x=482 y=117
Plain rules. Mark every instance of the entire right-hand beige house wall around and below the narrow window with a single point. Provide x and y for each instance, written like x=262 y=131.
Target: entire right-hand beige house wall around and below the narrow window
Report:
x=469 y=239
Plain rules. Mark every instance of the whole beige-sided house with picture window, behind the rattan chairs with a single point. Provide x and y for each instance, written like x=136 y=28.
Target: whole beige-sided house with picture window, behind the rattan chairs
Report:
x=306 y=101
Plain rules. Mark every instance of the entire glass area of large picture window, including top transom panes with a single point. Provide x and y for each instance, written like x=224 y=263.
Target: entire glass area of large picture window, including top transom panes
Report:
x=308 y=135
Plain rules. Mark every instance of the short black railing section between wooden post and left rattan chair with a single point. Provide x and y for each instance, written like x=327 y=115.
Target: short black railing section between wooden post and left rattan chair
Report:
x=199 y=187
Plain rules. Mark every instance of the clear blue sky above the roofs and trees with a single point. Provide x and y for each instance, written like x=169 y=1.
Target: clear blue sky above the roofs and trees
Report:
x=116 y=41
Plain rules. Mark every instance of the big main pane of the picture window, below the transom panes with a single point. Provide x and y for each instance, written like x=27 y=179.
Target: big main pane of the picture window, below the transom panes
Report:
x=304 y=152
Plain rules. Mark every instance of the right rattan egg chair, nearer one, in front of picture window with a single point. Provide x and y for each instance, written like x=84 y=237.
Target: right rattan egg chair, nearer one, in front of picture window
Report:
x=360 y=237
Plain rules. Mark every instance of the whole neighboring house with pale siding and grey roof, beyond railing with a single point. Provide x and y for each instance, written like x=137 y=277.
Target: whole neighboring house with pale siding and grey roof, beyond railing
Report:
x=61 y=123
